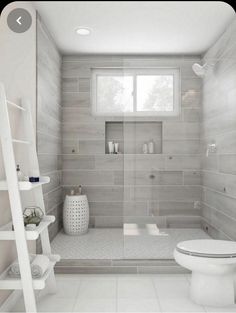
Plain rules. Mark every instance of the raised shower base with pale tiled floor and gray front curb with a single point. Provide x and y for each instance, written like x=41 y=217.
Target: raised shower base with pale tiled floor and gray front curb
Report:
x=108 y=250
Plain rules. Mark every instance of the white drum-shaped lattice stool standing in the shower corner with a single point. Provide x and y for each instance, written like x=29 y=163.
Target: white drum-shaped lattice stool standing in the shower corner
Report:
x=76 y=215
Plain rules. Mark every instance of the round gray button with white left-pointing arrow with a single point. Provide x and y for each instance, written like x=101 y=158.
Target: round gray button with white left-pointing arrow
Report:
x=19 y=20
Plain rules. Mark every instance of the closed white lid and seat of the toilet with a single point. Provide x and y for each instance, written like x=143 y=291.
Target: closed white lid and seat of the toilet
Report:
x=208 y=248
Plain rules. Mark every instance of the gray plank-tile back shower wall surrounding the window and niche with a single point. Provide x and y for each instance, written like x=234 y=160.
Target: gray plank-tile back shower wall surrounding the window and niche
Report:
x=169 y=197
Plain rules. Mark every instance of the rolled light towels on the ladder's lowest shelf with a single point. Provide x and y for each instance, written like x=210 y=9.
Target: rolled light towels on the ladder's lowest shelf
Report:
x=39 y=265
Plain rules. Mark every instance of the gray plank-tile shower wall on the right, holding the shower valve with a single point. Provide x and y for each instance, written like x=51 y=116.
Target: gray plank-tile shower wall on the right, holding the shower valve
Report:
x=219 y=126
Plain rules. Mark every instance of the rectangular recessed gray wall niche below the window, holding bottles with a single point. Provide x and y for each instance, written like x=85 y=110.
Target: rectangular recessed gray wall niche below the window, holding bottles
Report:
x=131 y=136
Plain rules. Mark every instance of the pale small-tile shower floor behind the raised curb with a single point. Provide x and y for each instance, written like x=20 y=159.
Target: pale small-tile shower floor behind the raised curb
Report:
x=110 y=243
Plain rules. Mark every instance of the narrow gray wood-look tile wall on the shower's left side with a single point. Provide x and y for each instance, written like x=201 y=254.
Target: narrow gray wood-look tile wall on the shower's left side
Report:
x=49 y=114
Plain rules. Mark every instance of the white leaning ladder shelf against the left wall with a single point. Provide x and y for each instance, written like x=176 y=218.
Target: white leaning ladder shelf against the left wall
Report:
x=14 y=188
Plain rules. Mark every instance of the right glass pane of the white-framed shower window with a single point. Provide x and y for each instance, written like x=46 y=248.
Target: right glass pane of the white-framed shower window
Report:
x=155 y=93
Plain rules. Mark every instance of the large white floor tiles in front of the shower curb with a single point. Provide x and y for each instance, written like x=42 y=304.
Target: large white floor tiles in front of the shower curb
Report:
x=121 y=293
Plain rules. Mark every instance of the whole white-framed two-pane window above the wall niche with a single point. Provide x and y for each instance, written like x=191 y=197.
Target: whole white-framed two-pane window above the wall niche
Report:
x=138 y=92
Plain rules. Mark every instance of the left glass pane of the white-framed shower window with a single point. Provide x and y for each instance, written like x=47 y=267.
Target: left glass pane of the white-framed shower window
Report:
x=114 y=94
